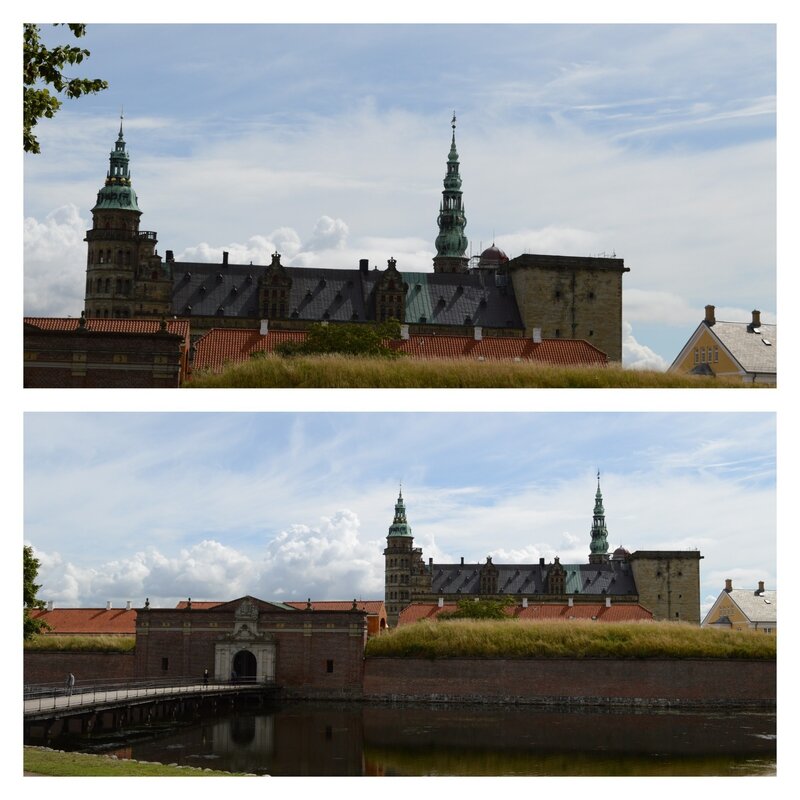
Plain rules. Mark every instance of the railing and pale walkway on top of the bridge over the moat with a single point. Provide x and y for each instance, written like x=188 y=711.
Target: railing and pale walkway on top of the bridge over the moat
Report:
x=47 y=696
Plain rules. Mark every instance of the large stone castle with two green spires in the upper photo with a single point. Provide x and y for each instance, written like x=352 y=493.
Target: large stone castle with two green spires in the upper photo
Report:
x=538 y=296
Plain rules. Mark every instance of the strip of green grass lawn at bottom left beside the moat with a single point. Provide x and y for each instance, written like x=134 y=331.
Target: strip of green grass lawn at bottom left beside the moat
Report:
x=56 y=763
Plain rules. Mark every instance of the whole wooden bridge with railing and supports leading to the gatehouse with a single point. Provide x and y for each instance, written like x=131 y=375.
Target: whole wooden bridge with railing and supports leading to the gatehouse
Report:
x=50 y=710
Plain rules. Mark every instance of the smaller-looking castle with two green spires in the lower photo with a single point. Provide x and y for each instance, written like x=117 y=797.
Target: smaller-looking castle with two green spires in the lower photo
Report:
x=666 y=582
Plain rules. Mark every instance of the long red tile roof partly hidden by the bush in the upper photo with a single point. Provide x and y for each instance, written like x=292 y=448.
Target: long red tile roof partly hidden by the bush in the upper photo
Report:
x=233 y=345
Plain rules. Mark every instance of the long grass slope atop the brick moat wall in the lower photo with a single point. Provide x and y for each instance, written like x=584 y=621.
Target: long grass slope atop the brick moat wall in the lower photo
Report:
x=574 y=639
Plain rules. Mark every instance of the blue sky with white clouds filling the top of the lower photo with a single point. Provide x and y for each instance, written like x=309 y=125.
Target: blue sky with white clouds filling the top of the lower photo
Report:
x=286 y=506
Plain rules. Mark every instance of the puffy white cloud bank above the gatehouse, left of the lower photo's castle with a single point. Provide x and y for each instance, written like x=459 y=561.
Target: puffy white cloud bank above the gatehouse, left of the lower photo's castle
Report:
x=326 y=561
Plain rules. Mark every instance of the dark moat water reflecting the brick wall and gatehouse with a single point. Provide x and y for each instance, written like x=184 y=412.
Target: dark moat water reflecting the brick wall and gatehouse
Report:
x=326 y=739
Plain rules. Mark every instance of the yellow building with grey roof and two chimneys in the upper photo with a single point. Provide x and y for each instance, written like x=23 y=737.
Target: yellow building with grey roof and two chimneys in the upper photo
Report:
x=729 y=349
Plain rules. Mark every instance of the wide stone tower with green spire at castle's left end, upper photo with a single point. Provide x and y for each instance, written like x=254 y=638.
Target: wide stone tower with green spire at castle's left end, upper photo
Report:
x=124 y=275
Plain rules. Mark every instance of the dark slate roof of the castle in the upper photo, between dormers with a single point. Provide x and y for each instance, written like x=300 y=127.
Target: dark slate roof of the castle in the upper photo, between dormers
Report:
x=345 y=294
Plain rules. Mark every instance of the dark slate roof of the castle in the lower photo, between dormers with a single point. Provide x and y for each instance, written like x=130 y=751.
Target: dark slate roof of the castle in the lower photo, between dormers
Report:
x=613 y=577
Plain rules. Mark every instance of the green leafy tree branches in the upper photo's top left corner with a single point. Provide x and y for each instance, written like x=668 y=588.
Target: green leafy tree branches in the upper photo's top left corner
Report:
x=41 y=67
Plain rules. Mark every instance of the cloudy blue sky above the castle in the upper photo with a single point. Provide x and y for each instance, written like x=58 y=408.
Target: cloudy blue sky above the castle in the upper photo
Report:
x=328 y=142
